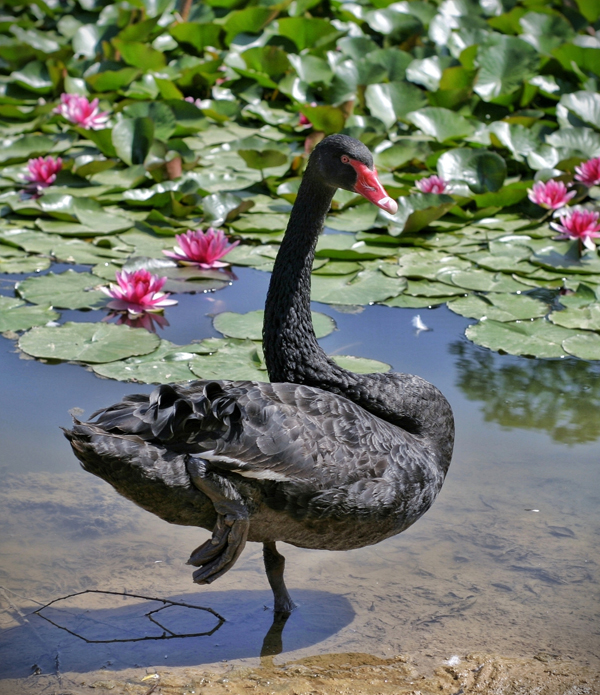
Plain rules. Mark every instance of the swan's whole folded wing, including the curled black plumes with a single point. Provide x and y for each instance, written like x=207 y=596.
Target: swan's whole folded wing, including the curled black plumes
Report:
x=278 y=432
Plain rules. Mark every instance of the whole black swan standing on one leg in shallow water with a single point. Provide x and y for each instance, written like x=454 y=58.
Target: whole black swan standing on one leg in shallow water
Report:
x=319 y=458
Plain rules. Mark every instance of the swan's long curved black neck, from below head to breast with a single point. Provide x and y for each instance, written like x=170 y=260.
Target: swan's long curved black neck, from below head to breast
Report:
x=292 y=353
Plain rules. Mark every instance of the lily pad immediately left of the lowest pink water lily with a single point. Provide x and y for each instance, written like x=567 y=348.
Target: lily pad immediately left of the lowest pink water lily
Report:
x=69 y=290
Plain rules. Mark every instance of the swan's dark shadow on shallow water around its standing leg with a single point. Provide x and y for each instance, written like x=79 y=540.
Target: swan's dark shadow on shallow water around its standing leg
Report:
x=94 y=631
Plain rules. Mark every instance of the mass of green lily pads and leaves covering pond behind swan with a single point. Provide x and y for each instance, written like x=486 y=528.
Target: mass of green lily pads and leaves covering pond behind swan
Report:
x=487 y=96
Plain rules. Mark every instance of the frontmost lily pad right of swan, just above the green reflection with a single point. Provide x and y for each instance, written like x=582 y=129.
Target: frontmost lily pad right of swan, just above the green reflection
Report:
x=538 y=338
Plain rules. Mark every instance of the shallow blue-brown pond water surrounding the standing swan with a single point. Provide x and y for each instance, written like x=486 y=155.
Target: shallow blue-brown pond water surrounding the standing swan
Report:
x=506 y=561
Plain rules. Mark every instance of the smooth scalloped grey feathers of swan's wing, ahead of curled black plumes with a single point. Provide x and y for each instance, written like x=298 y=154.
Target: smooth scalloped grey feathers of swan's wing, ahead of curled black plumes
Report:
x=295 y=432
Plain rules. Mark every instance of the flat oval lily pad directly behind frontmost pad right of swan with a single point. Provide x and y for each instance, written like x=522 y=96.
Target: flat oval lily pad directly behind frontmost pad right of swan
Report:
x=499 y=307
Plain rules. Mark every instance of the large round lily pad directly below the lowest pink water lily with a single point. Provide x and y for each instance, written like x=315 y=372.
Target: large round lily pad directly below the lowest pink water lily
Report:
x=88 y=342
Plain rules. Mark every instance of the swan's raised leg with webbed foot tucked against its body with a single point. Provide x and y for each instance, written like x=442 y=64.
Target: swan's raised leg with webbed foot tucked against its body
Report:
x=220 y=553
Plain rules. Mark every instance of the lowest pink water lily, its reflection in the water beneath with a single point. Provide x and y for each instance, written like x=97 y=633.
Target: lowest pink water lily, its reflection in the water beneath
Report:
x=138 y=292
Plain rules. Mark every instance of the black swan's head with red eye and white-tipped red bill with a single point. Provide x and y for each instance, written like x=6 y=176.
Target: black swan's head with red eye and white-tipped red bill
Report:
x=343 y=162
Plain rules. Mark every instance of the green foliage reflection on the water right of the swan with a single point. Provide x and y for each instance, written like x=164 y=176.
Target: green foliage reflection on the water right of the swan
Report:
x=561 y=397
